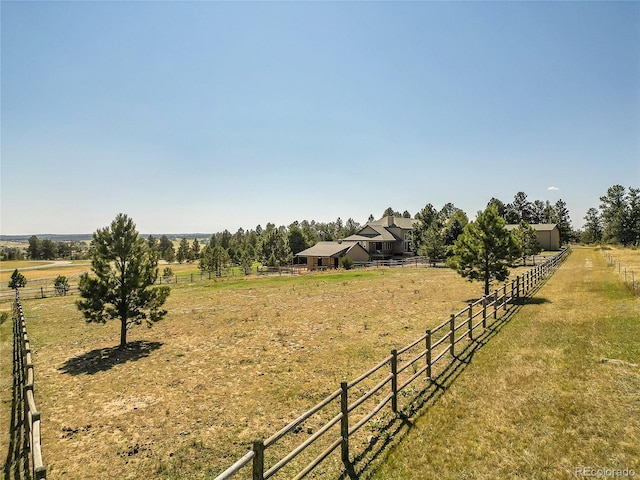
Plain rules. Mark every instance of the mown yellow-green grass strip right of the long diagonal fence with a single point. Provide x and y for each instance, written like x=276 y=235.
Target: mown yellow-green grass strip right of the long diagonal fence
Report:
x=557 y=389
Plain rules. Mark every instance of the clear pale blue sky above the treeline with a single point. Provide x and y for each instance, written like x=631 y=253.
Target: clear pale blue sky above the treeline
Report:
x=200 y=116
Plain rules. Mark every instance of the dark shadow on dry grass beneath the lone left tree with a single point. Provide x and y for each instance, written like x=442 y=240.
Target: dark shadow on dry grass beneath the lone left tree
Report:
x=102 y=359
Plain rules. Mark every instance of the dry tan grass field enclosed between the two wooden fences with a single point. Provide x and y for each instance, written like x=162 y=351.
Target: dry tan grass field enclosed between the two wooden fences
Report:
x=233 y=361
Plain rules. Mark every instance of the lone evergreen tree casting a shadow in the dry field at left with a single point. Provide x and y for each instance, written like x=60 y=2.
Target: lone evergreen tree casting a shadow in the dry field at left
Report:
x=124 y=271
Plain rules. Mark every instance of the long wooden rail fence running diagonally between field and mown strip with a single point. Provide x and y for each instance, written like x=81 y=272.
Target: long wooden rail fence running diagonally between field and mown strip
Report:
x=342 y=413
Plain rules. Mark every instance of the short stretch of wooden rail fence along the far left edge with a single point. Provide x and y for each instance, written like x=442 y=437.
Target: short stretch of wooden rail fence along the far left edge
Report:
x=30 y=416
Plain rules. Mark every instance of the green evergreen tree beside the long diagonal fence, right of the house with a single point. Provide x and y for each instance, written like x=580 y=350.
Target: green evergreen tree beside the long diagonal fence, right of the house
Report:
x=485 y=250
